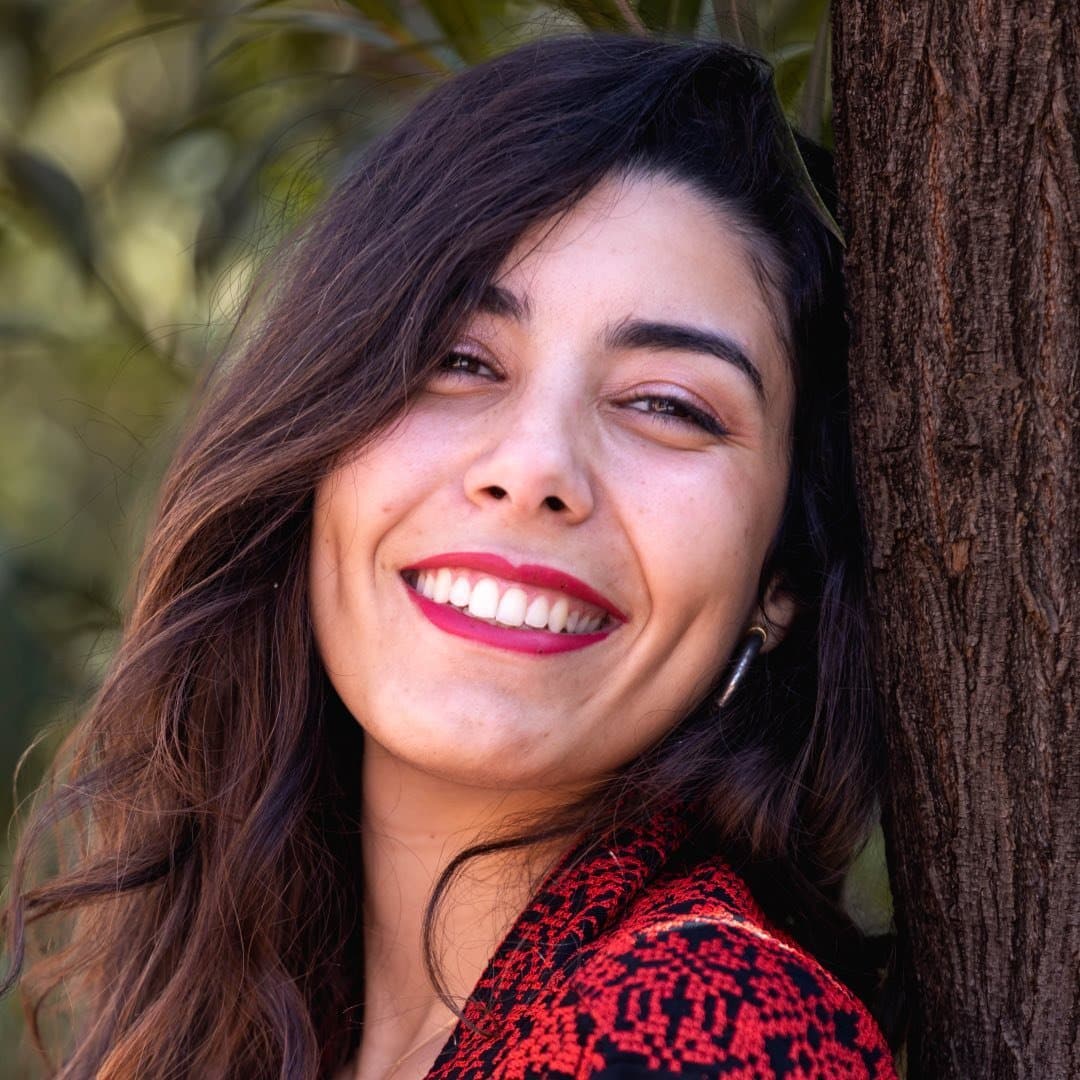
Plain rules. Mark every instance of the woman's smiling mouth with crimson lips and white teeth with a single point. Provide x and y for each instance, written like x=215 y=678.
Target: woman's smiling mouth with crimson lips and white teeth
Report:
x=533 y=610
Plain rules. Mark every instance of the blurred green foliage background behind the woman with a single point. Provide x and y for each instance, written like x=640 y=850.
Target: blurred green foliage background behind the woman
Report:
x=151 y=155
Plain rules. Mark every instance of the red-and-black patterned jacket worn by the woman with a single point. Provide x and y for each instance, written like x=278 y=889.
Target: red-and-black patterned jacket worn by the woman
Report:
x=633 y=962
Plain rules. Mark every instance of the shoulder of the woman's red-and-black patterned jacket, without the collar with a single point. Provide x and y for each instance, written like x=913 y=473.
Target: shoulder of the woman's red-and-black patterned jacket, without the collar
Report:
x=694 y=981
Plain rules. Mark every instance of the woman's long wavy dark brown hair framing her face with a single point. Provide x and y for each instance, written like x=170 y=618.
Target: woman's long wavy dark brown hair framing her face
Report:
x=207 y=808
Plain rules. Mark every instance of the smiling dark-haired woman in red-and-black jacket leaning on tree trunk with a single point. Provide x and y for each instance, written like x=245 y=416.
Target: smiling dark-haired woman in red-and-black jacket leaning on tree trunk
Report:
x=494 y=703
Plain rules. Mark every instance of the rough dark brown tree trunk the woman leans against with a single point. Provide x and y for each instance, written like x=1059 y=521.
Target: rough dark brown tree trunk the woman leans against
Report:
x=957 y=139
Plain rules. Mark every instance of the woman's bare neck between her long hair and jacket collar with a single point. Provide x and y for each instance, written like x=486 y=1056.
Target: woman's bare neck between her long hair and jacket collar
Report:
x=414 y=826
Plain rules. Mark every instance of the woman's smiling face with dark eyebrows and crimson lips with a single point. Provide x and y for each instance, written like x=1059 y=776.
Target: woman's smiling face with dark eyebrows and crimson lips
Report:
x=606 y=451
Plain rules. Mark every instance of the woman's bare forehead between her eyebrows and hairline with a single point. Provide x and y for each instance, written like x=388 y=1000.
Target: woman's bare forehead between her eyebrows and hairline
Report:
x=643 y=249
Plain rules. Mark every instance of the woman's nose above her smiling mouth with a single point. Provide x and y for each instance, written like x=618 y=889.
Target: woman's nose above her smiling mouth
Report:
x=533 y=465
